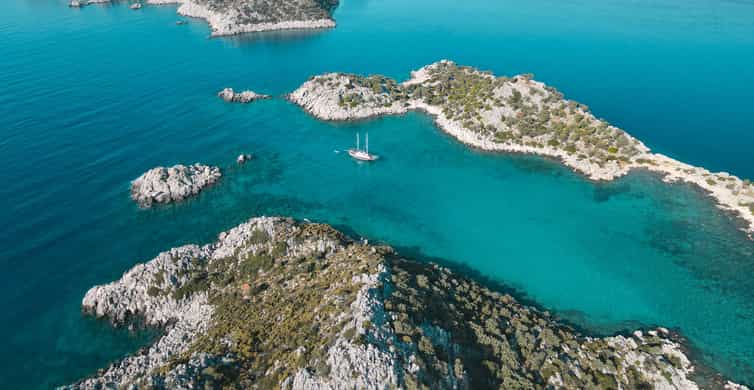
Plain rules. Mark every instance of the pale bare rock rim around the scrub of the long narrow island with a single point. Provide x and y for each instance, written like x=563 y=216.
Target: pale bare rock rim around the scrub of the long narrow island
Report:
x=323 y=97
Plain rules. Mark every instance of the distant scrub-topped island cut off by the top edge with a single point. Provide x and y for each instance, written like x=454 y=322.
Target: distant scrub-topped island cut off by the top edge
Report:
x=230 y=17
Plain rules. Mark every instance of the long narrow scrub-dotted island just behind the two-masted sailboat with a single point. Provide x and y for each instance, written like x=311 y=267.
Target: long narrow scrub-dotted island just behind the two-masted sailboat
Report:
x=513 y=114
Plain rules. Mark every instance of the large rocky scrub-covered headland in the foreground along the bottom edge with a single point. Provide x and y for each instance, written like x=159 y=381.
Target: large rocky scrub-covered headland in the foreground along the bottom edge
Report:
x=275 y=303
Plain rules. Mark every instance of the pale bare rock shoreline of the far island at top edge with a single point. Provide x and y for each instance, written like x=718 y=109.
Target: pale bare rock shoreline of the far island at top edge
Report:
x=228 y=22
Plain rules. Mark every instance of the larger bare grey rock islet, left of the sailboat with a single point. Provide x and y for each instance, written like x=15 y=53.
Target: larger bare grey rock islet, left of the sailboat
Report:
x=165 y=185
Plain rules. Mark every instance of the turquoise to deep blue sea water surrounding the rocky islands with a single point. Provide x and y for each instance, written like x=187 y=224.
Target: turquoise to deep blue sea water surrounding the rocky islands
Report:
x=92 y=98
